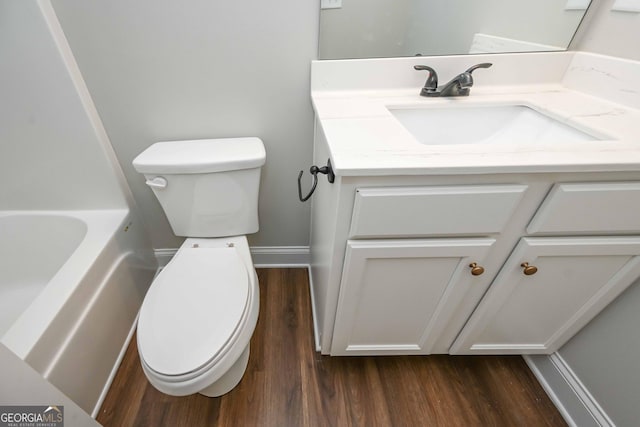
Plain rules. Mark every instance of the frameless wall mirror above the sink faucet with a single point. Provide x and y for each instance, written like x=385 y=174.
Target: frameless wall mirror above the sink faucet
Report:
x=391 y=28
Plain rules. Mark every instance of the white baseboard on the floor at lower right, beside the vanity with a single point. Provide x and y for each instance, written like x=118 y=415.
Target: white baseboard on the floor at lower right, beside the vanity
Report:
x=571 y=397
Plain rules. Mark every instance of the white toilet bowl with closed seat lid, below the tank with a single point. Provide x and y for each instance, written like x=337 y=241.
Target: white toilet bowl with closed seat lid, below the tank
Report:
x=197 y=319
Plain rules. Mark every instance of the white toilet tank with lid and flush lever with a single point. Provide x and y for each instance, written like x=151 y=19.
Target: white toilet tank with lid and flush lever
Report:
x=207 y=187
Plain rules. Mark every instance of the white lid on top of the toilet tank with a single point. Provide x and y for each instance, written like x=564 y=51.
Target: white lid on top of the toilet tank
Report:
x=201 y=156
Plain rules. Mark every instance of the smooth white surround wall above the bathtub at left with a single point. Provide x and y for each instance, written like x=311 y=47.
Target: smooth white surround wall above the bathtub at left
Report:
x=50 y=155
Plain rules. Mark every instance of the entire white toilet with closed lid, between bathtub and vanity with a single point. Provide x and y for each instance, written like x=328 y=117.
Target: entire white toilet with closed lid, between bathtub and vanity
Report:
x=198 y=316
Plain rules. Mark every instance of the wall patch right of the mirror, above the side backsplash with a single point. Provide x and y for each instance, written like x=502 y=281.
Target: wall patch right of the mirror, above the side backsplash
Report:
x=610 y=32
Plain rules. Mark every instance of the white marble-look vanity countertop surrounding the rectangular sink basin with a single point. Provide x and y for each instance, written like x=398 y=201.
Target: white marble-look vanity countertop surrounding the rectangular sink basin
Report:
x=365 y=139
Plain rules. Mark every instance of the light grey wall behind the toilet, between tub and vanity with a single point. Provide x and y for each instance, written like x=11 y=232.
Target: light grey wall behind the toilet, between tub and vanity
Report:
x=167 y=70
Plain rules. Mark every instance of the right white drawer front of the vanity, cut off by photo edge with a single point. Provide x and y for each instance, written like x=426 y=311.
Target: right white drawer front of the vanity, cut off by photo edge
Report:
x=610 y=207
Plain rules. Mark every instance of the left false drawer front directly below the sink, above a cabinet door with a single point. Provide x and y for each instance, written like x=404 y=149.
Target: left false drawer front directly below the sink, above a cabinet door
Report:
x=428 y=211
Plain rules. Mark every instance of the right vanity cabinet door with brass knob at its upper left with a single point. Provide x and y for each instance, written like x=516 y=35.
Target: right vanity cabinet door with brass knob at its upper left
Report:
x=569 y=281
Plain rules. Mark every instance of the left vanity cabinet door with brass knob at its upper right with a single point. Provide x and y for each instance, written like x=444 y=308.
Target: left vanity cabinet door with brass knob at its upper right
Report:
x=396 y=295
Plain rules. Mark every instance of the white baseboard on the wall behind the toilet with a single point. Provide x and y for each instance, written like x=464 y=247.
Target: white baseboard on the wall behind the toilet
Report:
x=263 y=256
